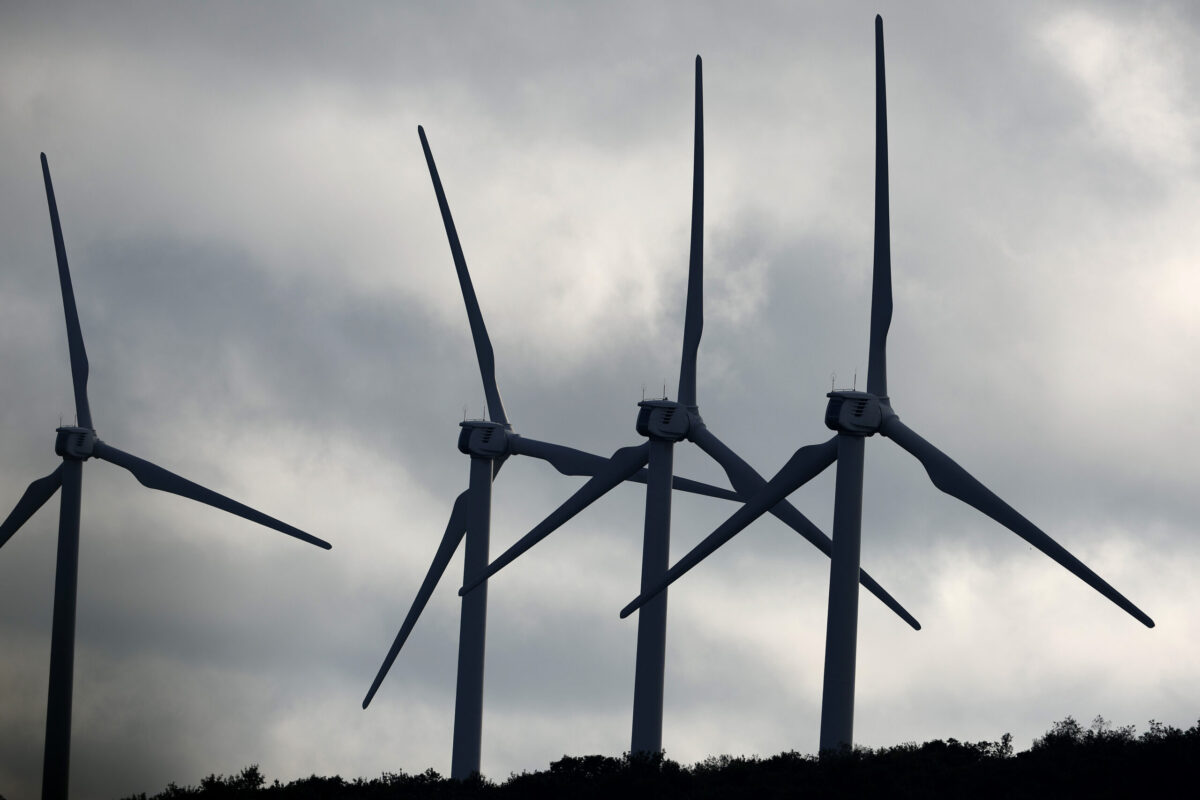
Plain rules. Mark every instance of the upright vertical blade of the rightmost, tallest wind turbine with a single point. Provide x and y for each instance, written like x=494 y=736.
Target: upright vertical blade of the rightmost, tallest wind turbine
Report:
x=881 y=284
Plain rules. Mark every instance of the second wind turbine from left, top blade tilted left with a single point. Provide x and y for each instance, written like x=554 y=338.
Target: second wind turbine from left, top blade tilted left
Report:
x=489 y=443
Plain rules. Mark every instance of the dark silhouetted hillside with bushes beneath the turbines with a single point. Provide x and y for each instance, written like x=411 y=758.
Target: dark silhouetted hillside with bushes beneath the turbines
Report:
x=1067 y=762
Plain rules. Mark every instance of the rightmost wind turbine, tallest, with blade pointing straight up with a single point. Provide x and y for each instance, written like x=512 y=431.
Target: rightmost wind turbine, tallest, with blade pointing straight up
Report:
x=855 y=417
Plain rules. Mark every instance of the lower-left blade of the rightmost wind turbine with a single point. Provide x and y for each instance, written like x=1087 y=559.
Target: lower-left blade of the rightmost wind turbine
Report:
x=805 y=465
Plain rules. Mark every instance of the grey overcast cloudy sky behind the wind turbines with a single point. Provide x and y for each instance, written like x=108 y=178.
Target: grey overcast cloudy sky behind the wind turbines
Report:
x=271 y=309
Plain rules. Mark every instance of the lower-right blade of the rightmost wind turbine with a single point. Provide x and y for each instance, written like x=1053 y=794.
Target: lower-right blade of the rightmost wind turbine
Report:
x=956 y=482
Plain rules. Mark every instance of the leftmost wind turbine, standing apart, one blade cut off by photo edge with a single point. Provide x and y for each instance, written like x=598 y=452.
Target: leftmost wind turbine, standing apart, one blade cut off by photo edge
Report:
x=76 y=444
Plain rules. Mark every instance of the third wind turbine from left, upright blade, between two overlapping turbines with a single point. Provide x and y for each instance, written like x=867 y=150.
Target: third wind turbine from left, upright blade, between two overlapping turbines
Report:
x=667 y=423
